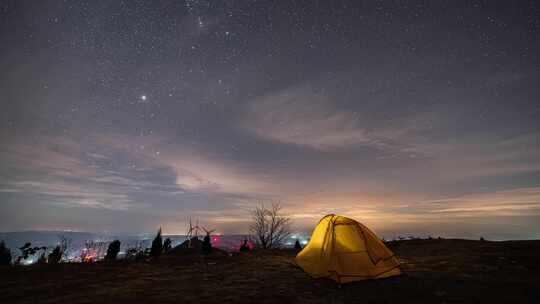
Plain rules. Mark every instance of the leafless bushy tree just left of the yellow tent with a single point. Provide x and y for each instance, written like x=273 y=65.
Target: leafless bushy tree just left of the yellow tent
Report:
x=270 y=227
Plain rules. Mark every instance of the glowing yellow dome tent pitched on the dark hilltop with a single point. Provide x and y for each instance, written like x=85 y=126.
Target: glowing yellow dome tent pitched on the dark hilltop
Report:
x=345 y=250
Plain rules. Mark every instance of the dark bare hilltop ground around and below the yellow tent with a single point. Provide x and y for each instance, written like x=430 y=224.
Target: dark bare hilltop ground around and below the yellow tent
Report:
x=436 y=271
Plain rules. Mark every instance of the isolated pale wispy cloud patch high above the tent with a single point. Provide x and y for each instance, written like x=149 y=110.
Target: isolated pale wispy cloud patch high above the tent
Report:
x=304 y=116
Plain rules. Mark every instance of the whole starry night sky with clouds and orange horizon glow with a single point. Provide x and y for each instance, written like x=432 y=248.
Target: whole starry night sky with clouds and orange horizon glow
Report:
x=413 y=117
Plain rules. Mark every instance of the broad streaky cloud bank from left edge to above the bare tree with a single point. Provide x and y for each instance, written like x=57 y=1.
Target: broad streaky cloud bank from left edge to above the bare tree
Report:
x=123 y=173
